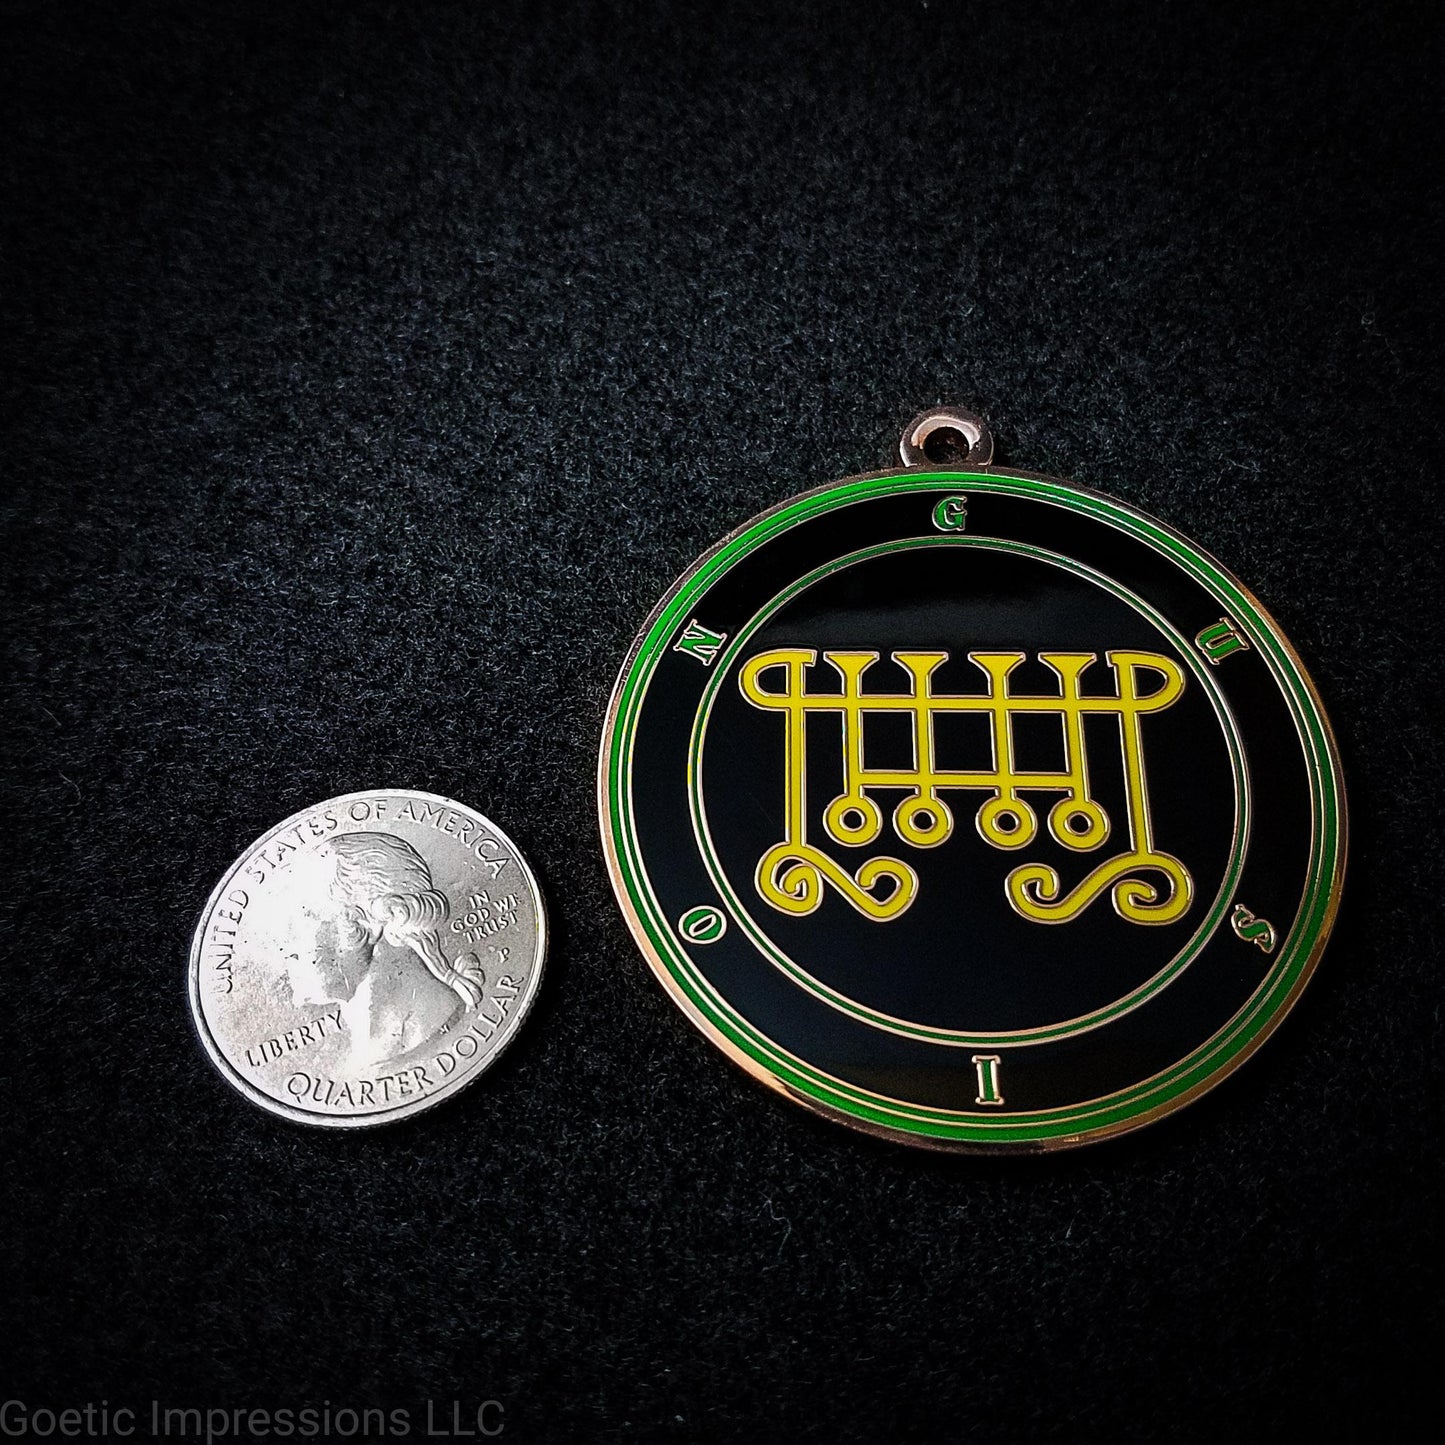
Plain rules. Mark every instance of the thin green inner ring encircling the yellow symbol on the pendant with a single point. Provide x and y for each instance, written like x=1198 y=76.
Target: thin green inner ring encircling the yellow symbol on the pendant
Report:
x=957 y=1038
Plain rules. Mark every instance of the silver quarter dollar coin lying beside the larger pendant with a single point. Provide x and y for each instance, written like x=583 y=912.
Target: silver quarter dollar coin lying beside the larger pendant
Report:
x=368 y=959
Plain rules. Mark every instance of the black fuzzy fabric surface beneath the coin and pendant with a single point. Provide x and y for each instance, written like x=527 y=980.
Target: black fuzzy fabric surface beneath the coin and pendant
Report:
x=372 y=371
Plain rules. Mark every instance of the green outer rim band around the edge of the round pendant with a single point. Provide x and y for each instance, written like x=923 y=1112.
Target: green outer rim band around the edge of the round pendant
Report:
x=1128 y=1109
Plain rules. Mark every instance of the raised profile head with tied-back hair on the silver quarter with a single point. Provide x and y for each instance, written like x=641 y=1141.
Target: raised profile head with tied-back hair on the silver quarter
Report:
x=363 y=936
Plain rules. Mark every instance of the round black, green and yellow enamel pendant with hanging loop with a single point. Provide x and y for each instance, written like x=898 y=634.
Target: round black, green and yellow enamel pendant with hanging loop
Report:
x=973 y=808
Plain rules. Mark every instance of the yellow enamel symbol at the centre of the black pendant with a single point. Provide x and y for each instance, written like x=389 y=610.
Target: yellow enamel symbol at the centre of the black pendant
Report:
x=793 y=874
